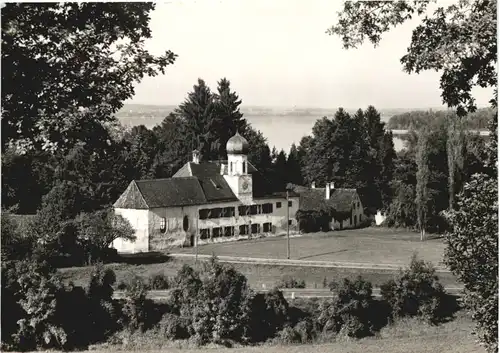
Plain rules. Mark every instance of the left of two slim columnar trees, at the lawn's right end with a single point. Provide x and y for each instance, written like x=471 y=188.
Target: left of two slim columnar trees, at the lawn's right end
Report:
x=422 y=188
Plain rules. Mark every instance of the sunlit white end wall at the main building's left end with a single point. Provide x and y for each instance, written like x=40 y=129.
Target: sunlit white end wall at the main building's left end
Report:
x=139 y=221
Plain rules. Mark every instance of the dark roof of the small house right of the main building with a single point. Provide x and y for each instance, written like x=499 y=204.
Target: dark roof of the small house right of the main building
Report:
x=340 y=201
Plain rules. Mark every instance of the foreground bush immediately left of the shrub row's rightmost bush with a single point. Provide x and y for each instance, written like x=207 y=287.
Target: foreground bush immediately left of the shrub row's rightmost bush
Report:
x=349 y=311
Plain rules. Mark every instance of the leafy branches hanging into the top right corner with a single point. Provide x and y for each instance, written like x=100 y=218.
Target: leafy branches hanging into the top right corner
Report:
x=459 y=40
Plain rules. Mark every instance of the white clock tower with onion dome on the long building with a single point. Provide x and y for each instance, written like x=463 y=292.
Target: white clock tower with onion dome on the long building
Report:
x=237 y=175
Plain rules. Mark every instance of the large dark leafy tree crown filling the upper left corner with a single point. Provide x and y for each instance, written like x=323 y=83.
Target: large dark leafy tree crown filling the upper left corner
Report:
x=67 y=64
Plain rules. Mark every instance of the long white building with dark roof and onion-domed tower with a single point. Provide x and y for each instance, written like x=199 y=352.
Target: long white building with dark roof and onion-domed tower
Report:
x=206 y=201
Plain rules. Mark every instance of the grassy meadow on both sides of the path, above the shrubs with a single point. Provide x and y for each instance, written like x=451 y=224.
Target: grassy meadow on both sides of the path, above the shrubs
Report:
x=369 y=245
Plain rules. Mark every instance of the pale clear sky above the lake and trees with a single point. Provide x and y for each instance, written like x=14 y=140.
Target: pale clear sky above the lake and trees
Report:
x=276 y=53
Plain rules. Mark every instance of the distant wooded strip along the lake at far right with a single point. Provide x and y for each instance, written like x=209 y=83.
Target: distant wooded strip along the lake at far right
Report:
x=478 y=120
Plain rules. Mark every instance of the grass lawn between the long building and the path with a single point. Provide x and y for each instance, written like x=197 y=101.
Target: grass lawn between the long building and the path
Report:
x=367 y=245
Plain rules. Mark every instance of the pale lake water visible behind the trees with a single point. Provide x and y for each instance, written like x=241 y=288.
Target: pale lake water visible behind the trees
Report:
x=281 y=130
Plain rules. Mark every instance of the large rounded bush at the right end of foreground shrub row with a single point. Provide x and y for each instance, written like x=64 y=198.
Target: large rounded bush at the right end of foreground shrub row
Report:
x=416 y=291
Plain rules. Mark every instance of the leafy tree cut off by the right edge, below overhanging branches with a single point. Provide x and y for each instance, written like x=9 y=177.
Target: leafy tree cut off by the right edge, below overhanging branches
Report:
x=472 y=253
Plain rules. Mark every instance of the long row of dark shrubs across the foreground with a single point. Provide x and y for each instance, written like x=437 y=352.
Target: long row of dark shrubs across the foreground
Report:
x=210 y=305
